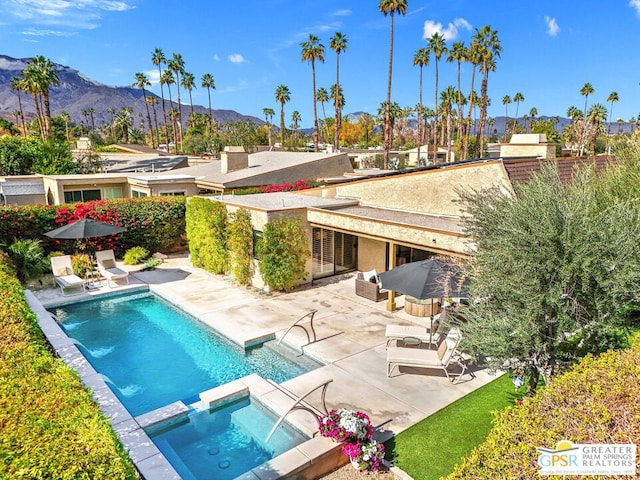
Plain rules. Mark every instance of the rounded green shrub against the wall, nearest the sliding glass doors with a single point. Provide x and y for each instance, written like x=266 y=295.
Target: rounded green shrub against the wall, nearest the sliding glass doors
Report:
x=282 y=252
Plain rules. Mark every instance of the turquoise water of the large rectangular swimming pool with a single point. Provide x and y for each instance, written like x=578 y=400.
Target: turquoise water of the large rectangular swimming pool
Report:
x=152 y=354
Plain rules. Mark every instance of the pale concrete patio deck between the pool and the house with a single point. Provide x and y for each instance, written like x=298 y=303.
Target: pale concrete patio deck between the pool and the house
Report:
x=350 y=339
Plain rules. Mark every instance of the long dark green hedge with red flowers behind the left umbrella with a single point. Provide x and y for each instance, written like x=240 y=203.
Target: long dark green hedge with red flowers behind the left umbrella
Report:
x=155 y=223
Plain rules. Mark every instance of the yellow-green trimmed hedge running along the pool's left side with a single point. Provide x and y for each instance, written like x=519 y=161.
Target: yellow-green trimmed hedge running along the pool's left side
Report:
x=50 y=427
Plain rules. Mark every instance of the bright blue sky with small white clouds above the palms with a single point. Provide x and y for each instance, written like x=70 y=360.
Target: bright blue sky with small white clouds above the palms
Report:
x=550 y=48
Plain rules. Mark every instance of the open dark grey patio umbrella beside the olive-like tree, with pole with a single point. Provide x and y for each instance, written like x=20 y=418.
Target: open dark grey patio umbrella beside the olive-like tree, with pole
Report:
x=426 y=279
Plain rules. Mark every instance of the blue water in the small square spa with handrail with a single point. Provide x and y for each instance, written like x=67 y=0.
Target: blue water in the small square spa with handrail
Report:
x=223 y=444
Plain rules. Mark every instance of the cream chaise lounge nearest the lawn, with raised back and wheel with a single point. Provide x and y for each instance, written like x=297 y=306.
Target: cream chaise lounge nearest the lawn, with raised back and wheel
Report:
x=428 y=359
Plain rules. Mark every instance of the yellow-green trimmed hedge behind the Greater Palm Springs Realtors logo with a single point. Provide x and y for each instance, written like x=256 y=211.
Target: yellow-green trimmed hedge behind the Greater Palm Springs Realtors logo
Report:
x=598 y=401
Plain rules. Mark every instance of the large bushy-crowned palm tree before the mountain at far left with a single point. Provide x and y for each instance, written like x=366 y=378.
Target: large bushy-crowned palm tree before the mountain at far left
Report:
x=40 y=75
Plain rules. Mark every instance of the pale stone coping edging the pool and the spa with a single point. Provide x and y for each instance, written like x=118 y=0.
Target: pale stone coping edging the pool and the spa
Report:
x=304 y=461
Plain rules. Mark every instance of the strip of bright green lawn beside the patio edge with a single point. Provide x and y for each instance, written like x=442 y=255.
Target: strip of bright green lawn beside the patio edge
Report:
x=430 y=449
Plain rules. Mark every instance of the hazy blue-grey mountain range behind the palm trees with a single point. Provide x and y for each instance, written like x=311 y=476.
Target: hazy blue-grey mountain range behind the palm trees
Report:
x=76 y=93
